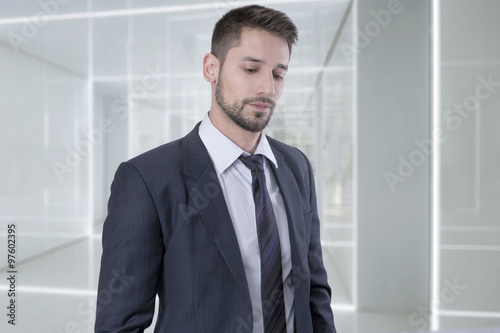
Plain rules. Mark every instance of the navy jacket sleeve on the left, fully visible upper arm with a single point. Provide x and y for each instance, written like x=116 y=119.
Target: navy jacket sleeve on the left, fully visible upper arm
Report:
x=132 y=256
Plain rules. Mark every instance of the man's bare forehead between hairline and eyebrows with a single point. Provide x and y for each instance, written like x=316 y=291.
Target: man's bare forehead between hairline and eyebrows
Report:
x=260 y=44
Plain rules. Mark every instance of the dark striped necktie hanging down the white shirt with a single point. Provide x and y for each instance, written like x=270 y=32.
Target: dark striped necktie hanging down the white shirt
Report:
x=273 y=305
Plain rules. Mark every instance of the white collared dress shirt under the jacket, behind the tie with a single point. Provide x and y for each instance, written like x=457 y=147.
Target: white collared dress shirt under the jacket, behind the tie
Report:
x=236 y=182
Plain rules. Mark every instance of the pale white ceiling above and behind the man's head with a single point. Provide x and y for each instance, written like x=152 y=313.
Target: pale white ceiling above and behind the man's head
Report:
x=109 y=39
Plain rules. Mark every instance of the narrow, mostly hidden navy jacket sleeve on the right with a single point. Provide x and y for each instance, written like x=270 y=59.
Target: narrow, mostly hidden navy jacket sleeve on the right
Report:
x=320 y=292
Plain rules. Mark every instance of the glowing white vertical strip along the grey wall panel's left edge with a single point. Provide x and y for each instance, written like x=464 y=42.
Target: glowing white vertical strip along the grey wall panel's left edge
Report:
x=355 y=157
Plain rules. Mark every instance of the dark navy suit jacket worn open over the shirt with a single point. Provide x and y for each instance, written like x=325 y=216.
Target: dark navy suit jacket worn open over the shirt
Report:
x=168 y=233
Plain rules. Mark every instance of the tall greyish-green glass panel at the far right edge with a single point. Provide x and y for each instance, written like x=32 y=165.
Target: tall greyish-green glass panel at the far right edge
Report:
x=469 y=159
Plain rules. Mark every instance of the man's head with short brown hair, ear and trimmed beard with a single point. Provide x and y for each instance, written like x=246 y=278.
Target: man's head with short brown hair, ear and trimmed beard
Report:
x=251 y=49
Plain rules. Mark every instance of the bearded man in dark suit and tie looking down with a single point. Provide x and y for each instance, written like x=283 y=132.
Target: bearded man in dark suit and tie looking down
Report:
x=222 y=224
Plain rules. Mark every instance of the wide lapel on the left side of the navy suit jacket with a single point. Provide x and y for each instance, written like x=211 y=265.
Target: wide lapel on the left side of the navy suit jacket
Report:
x=206 y=192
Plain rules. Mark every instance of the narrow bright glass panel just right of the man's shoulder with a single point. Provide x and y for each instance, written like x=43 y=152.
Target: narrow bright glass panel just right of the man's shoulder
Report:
x=337 y=168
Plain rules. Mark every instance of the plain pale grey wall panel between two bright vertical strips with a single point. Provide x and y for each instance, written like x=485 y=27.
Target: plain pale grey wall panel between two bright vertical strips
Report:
x=393 y=112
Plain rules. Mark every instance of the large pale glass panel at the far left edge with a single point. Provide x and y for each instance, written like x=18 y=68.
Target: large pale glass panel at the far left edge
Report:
x=44 y=130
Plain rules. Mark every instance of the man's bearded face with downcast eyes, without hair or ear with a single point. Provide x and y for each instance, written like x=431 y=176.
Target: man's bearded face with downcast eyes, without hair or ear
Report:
x=252 y=79
